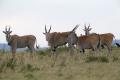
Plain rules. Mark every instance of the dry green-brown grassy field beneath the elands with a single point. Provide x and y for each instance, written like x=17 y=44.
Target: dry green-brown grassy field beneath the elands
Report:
x=42 y=66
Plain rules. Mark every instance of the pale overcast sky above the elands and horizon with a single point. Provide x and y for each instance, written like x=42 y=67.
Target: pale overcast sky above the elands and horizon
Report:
x=30 y=17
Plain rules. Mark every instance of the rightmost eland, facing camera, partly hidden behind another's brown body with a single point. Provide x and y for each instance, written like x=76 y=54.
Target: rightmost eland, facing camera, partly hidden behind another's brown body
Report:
x=105 y=39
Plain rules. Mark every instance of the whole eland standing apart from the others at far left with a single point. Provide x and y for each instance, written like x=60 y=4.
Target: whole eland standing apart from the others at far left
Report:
x=15 y=41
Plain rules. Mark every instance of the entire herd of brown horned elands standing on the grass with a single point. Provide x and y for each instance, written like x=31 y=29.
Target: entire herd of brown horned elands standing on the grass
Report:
x=92 y=41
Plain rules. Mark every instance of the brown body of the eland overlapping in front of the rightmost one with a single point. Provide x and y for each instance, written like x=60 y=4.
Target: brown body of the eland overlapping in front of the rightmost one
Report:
x=88 y=42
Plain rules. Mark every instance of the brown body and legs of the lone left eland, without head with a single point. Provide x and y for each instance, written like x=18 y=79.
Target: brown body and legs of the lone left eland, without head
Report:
x=22 y=42
